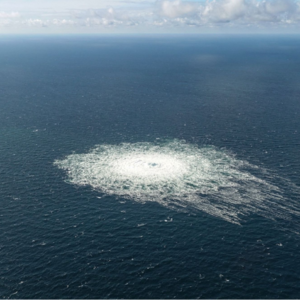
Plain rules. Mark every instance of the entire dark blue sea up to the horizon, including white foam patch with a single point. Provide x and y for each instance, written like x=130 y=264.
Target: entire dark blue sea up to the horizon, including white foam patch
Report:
x=160 y=167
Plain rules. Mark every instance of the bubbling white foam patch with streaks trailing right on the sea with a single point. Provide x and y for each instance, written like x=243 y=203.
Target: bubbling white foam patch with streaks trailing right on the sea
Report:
x=178 y=175
